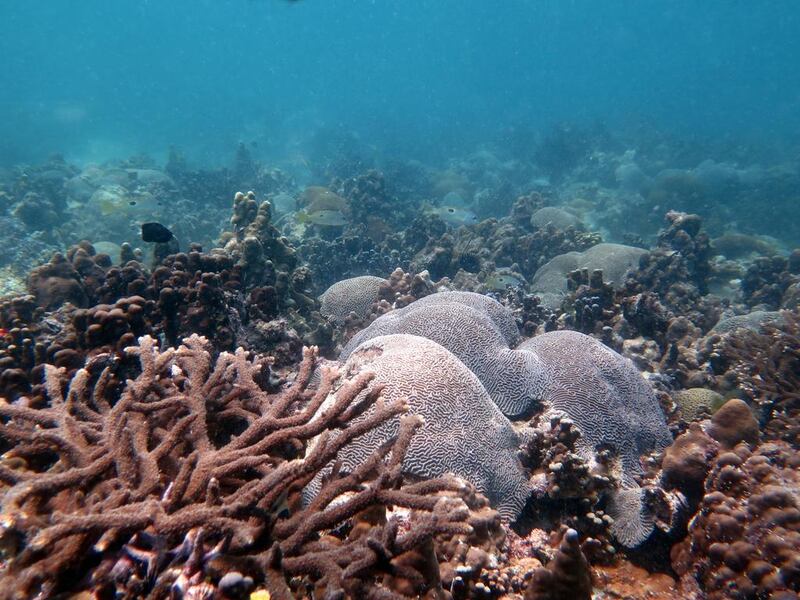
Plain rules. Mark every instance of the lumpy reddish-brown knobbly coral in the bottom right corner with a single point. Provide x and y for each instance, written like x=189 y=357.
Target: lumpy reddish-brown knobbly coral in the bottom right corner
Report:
x=744 y=542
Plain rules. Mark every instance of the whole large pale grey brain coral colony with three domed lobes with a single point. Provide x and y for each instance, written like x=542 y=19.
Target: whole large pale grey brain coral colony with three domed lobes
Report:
x=450 y=354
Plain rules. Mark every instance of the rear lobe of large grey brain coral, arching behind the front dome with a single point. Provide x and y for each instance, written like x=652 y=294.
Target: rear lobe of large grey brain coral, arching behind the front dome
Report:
x=510 y=377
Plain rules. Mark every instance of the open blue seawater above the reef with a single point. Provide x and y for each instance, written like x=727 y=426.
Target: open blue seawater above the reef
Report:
x=423 y=78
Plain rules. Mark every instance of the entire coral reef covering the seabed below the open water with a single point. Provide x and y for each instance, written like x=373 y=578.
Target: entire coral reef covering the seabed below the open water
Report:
x=653 y=386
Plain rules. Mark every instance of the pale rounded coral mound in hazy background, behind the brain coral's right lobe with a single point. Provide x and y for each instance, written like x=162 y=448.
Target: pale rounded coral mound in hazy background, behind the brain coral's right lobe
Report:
x=614 y=259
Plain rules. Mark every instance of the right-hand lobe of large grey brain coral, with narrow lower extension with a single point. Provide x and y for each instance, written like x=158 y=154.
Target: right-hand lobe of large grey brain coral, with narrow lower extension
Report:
x=606 y=398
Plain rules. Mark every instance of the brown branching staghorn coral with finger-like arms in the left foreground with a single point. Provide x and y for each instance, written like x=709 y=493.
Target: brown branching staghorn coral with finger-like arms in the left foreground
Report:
x=135 y=488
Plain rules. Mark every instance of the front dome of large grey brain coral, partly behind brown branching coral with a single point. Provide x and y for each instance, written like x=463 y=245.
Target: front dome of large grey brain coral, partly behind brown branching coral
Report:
x=464 y=433
